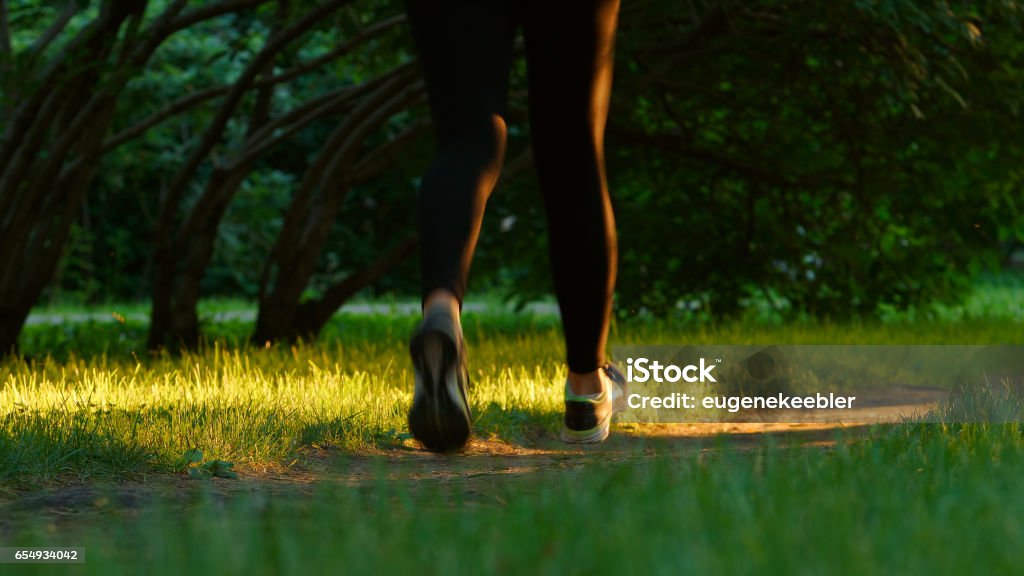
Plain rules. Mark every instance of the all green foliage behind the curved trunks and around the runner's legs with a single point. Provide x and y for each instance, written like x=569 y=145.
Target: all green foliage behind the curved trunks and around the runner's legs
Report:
x=834 y=159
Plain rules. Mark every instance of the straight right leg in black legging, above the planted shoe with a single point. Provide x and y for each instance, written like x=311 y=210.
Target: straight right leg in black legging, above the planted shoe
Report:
x=570 y=48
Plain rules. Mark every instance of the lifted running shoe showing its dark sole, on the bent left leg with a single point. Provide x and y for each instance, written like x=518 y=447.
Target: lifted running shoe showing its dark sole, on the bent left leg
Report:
x=440 y=418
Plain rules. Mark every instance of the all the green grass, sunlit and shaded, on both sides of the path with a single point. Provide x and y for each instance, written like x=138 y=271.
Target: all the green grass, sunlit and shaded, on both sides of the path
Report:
x=93 y=431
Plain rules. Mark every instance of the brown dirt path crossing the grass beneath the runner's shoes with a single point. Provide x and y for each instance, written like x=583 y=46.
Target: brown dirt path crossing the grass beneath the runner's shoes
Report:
x=474 y=471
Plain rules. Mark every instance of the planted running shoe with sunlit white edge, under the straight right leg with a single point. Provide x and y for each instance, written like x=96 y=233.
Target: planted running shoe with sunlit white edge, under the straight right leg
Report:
x=588 y=419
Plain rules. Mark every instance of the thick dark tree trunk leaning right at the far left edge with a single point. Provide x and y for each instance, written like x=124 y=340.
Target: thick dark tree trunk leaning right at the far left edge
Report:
x=50 y=156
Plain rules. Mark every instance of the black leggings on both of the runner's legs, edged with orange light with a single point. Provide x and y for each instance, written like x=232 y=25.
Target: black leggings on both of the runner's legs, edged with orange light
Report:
x=466 y=50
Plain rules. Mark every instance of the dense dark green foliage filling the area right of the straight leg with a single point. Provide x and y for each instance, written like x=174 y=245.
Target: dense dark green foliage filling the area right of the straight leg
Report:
x=834 y=158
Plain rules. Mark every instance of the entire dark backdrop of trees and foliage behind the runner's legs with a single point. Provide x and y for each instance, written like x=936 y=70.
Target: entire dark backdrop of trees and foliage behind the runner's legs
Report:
x=829 y=158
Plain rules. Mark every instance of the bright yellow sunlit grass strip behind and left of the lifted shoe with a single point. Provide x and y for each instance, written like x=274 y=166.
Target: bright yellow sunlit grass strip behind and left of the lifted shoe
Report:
x=259 y=408
